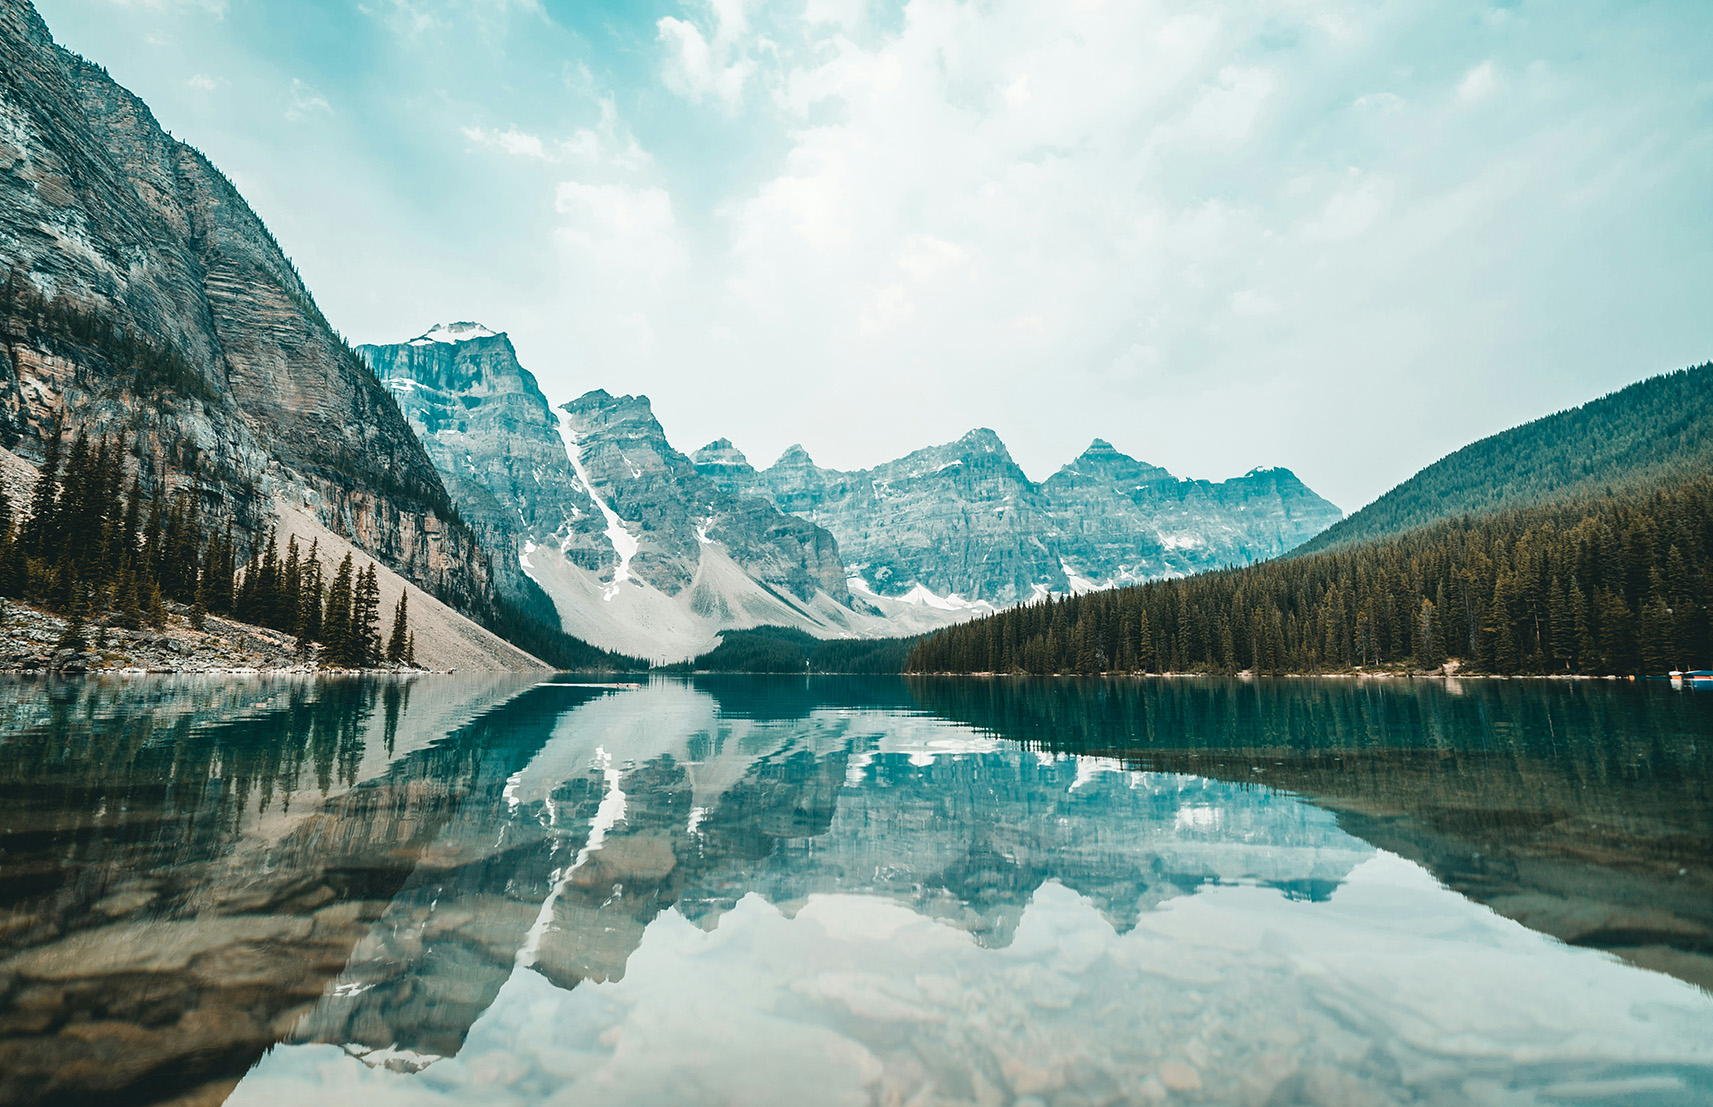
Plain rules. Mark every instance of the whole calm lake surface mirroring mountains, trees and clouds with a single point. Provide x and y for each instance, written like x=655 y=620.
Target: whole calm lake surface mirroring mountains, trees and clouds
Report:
x=856 y=892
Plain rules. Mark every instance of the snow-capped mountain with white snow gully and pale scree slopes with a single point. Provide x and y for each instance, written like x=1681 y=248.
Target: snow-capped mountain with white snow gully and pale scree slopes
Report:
x=638 y=551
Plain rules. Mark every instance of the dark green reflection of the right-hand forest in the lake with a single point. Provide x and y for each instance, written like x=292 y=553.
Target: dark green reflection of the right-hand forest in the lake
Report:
x=1582 y=810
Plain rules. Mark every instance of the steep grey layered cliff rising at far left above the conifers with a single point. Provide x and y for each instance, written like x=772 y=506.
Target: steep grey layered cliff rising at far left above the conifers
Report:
x=110 y=220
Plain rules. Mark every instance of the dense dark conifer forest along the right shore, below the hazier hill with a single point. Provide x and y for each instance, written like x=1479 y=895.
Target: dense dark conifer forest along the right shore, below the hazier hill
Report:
x=1606 y=585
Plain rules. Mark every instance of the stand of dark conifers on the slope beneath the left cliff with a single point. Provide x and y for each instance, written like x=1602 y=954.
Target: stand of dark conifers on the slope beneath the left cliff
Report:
x=95 y=546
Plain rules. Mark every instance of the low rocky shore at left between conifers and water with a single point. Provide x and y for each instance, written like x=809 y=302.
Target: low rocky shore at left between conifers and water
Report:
x=33 y=640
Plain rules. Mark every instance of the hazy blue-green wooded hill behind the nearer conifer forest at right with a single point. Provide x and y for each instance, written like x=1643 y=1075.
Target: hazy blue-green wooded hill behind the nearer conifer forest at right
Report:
x=1652 y=433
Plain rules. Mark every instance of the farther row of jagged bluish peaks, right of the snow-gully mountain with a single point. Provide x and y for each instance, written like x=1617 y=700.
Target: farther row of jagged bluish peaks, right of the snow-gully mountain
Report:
x=964 y=520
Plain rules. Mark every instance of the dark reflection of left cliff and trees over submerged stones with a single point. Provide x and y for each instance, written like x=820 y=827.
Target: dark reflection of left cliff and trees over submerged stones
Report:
x=188 y=863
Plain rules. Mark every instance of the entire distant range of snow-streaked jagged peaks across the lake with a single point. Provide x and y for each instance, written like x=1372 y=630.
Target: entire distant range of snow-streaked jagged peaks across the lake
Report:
x=650 y=553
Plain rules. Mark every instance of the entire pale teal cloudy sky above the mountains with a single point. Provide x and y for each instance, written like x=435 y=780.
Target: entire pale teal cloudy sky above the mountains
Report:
x=1344 y=237
